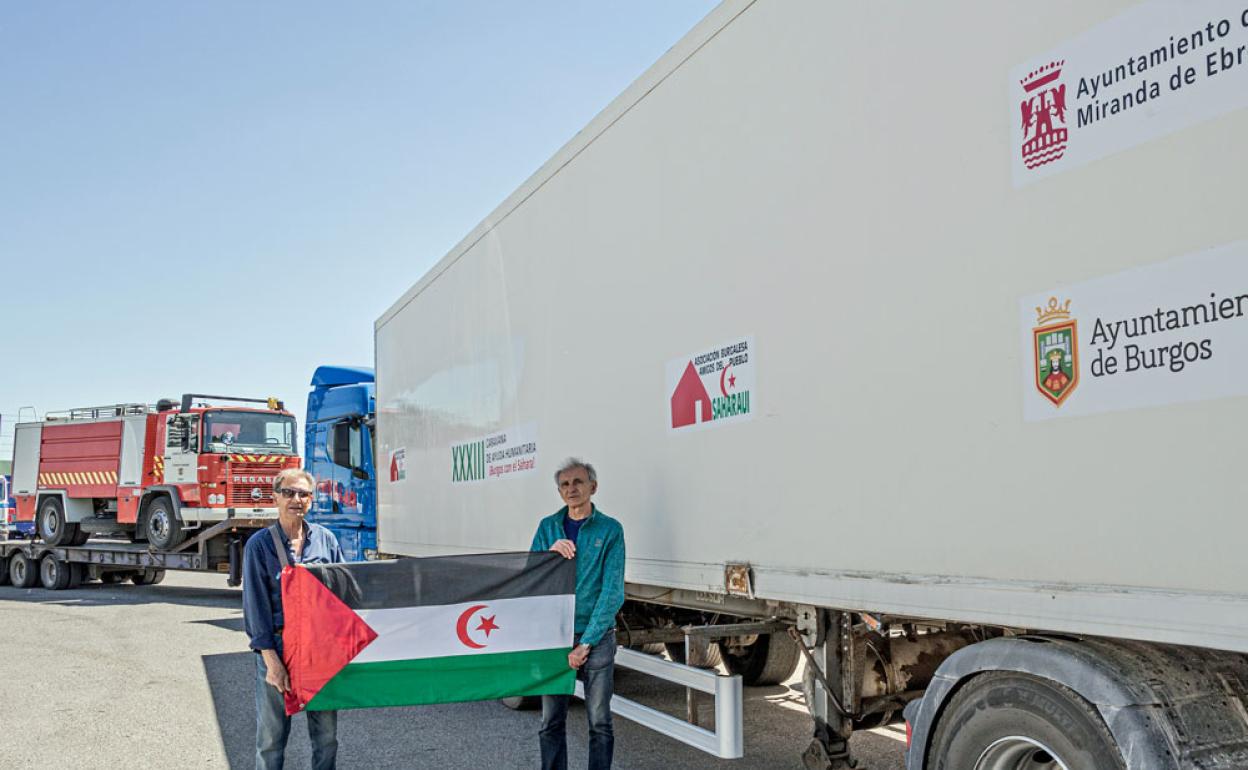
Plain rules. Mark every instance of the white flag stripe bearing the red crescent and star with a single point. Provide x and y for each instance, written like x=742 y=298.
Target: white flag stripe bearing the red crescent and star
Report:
x=532 y=623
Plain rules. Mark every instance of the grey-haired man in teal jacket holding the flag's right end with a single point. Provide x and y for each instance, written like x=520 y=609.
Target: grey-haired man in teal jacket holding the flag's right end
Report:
x=581 y=532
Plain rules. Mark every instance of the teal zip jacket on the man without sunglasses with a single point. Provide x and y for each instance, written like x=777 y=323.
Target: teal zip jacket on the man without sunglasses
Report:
x=600 y=570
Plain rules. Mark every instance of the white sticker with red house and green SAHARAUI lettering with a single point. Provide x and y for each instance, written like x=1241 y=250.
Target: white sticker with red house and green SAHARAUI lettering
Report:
x=713 y=387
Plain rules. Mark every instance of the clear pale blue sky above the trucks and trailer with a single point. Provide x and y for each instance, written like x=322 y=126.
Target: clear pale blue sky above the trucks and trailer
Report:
x=220 y=197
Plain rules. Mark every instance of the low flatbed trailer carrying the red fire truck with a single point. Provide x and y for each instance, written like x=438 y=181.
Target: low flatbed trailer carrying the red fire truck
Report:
x=219 y=550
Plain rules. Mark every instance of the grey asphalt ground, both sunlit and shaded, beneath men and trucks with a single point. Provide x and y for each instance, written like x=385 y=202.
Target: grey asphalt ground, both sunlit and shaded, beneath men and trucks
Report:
x=159 y=677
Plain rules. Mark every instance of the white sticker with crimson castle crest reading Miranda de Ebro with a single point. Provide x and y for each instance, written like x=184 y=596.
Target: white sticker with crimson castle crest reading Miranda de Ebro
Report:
x=1150 y=72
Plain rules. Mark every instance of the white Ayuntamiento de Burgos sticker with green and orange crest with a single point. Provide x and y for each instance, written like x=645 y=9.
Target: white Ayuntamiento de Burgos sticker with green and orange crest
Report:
x=1171 y=333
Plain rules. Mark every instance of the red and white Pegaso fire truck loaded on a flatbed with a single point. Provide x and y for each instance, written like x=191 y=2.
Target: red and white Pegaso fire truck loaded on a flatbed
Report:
x=155 y=472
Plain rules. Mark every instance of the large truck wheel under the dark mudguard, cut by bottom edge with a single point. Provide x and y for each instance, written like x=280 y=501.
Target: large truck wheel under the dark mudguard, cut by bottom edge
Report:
x=1005 y=719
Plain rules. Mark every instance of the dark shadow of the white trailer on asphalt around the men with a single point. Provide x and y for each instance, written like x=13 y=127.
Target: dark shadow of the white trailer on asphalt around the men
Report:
x=490 y=736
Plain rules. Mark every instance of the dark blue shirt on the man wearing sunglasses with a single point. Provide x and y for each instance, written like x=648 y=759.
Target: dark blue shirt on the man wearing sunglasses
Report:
x=261 y=587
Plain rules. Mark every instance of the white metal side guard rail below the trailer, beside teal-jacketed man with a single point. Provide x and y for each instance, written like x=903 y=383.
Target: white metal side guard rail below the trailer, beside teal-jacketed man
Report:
x=726 y=742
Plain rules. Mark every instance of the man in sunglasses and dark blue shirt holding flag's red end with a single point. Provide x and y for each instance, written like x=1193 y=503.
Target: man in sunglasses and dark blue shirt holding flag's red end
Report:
x=291 y=542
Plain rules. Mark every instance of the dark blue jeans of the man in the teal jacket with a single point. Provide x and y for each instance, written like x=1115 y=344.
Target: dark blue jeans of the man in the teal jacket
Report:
x=598 y=676
